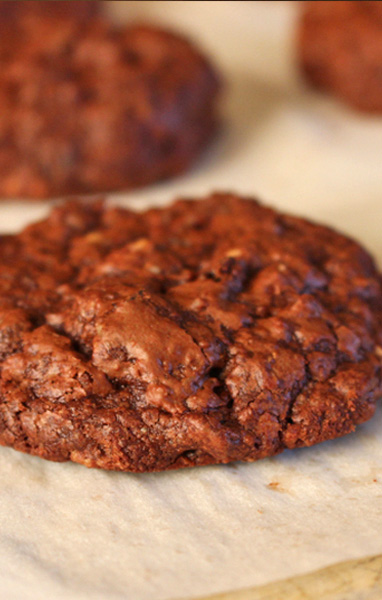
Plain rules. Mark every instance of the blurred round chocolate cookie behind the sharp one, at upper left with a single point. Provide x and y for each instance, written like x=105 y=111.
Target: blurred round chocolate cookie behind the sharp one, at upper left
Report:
x=86 y=106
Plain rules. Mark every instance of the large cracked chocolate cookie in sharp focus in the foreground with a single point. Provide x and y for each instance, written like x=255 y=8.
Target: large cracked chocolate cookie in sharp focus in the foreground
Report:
x=206 y=332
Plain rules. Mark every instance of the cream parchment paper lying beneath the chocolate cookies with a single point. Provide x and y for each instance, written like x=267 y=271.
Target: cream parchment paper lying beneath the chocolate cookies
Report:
x=67 y=532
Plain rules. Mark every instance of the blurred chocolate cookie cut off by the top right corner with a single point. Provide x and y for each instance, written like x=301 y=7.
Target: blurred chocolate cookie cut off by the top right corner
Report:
x=340 y=48
